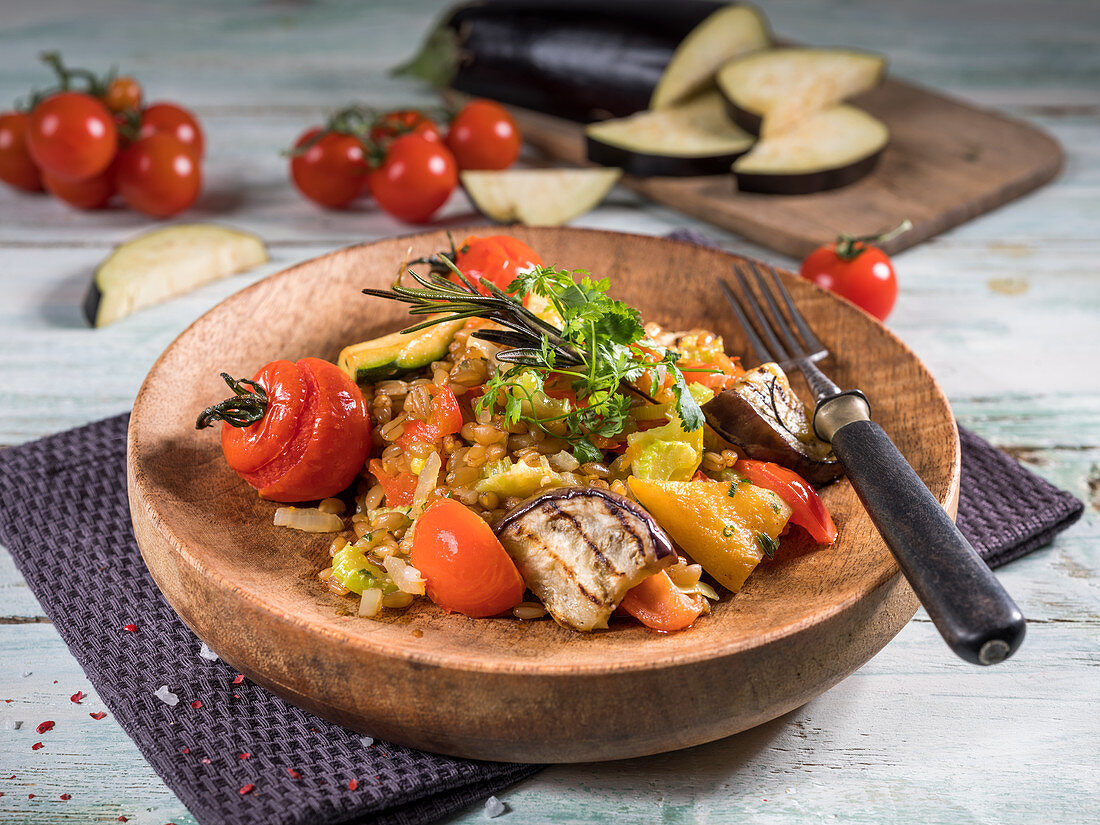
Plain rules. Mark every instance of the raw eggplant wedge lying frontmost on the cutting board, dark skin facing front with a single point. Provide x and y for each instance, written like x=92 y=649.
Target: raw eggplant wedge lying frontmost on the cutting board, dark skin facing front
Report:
x=832 y=149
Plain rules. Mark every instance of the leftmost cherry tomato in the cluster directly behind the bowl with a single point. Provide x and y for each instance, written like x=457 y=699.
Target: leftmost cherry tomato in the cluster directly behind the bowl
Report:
x=333 y=171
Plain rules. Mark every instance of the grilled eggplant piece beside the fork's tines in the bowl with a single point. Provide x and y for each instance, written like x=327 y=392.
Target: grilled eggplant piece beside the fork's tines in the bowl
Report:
x=763 y=416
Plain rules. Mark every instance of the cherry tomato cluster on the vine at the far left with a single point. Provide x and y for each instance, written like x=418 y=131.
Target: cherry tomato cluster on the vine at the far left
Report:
x=89 y=138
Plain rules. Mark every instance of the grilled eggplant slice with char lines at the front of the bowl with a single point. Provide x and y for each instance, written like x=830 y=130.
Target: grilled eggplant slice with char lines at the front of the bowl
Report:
x=581 y=549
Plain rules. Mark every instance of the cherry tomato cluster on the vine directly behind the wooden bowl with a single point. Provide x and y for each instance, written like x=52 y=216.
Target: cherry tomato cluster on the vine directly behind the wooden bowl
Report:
x=402 y=158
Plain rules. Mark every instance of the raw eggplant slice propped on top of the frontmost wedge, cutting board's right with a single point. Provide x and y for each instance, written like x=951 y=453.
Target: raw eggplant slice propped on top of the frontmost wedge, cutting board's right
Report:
x=772 y=92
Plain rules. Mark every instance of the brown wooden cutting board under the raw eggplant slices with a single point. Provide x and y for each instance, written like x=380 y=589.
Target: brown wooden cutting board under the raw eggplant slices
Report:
x=948 y=163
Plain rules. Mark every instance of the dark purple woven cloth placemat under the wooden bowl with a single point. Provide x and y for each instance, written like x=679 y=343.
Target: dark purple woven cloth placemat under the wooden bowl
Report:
x=301 y=771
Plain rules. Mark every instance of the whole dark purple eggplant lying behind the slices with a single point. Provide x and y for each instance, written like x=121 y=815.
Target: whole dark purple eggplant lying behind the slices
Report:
x=581 y=61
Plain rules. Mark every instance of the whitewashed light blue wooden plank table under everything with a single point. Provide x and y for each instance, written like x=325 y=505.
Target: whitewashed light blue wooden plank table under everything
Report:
x=1006 y=311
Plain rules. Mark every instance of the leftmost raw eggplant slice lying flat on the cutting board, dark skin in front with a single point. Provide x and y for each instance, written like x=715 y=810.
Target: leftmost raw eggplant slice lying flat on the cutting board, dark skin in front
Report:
x=696 y=138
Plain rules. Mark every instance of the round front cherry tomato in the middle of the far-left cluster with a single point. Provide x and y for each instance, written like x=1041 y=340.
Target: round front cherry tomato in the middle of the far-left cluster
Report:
x=72 y=136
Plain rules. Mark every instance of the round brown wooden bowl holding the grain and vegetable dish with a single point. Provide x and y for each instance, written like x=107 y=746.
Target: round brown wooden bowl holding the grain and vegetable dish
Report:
x=501 y=689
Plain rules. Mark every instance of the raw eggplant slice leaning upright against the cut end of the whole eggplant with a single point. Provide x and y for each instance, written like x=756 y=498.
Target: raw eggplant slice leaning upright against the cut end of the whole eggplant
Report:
x=730 y=32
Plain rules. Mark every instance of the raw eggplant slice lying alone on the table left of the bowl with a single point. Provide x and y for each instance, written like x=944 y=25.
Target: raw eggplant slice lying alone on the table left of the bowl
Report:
x=166 y=263
